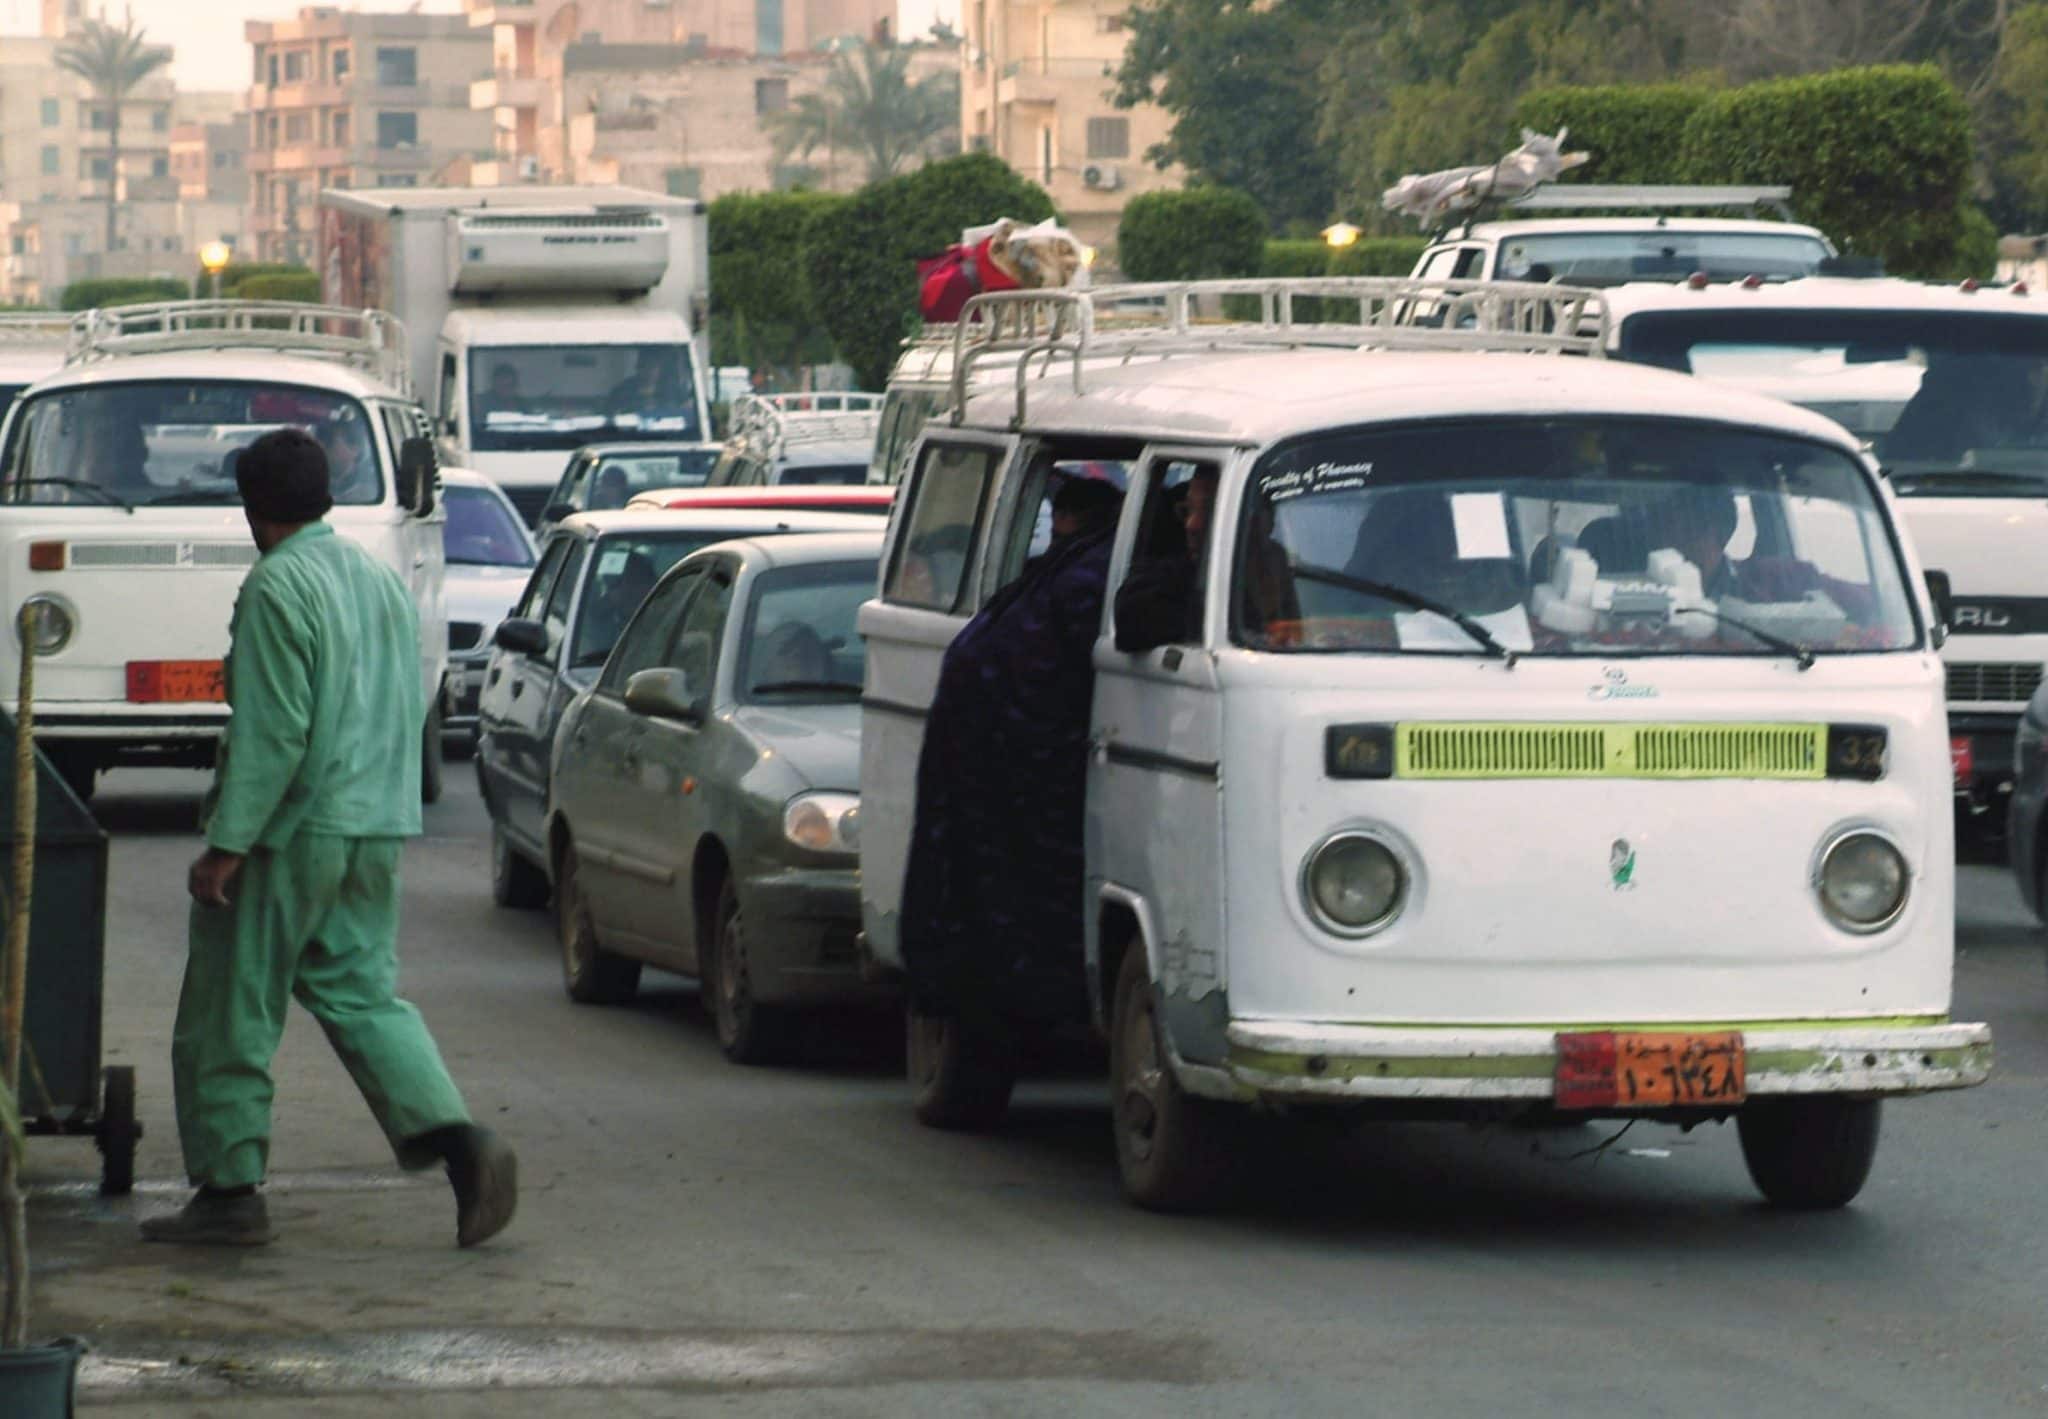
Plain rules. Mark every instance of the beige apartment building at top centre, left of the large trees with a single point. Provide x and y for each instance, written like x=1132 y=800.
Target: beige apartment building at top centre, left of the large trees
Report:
x=1037 y=83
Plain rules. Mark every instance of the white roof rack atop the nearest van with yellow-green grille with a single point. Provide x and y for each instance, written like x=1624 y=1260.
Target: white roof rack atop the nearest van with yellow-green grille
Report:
x=1164 y=320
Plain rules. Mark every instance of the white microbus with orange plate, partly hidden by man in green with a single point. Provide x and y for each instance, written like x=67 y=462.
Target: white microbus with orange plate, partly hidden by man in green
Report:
x=122 y=525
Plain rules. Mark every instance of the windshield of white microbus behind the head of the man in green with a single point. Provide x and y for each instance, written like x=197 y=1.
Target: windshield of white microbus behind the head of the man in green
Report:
x=175 y=441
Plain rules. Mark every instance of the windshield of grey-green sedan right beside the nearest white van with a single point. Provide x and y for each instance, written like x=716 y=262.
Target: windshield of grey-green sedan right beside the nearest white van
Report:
x=802 y=642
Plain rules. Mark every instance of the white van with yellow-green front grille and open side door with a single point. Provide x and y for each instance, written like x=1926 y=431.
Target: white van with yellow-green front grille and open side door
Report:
x=1439 y=808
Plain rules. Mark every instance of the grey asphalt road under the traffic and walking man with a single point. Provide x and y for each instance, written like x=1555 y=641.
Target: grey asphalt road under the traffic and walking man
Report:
x=787 y=1242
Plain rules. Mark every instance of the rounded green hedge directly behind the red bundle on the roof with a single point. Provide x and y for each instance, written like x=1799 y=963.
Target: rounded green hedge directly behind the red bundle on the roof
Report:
x=861 y=257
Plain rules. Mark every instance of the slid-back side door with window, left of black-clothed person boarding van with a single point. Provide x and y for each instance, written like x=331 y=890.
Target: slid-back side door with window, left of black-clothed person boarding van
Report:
x=939 y=527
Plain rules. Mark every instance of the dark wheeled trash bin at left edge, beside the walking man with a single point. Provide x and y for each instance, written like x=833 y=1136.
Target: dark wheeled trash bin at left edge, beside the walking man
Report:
x=65 y=1090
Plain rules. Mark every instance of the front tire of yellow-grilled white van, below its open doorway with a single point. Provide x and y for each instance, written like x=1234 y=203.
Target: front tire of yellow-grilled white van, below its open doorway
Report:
x=1172 y=1150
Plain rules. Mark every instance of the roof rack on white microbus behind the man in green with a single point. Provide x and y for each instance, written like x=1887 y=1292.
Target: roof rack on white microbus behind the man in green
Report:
x=372 y=343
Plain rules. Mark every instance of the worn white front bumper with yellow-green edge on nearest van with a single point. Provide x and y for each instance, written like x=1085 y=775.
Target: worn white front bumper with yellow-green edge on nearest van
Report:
x=1451 y=1064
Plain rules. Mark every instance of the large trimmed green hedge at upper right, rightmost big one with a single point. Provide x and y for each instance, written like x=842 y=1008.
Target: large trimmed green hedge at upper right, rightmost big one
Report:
x=1879 y=159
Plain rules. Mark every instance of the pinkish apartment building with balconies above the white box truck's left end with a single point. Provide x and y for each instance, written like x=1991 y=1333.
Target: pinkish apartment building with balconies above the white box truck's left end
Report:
x=353 y=99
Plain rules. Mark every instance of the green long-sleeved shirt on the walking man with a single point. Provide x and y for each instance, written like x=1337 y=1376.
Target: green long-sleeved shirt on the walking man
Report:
x=327 y=697
